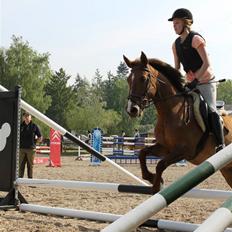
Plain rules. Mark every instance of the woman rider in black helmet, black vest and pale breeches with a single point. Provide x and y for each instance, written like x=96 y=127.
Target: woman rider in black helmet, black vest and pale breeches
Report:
x=189 y=50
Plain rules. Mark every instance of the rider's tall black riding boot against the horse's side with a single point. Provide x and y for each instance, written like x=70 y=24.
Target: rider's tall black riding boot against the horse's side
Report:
x=217 y=129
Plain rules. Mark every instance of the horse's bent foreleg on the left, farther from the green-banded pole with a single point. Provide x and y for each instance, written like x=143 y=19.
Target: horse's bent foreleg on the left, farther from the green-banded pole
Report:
x=156 y=150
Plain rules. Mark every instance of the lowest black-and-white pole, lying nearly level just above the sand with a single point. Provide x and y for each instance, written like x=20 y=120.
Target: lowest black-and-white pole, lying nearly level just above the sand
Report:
x=108 y=217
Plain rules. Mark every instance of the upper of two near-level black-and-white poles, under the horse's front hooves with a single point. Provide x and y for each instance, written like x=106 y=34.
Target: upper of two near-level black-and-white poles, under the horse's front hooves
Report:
x=120 y=188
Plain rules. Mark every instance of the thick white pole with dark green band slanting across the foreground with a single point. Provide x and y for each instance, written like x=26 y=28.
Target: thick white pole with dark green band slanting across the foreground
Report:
x=154 y=204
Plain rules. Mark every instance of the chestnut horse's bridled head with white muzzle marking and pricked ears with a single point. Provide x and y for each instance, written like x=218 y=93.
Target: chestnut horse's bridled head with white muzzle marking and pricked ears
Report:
x=142 y=85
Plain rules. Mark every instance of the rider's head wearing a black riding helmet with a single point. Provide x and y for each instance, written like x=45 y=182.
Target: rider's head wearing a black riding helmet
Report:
x=182 y=19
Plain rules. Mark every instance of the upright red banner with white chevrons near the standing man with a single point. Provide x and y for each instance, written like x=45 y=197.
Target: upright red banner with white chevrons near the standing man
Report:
x=55 y=148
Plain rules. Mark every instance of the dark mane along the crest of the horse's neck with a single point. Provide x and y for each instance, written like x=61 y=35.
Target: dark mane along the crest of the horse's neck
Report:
x=172 y=74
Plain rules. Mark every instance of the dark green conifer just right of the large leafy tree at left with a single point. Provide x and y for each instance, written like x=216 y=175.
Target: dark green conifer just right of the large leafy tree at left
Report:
x=62 y=97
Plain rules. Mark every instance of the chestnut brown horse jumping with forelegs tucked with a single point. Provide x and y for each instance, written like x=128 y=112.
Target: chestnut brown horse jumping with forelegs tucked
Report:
x=177 y=131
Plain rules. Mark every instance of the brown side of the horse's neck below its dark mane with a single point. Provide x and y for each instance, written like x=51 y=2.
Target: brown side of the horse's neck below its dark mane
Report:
x=164 y=101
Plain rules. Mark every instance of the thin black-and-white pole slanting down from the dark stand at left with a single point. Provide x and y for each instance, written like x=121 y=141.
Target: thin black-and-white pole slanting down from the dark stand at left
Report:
x=71 y=137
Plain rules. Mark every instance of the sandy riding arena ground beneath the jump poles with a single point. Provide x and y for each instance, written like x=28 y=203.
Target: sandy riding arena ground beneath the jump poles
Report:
x=184 y=209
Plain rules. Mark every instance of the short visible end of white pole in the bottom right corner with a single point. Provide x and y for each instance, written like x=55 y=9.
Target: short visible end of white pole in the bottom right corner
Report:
x=219 y=220
